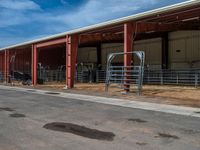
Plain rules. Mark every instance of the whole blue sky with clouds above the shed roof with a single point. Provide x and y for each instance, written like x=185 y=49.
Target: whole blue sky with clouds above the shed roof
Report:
x=23 y=20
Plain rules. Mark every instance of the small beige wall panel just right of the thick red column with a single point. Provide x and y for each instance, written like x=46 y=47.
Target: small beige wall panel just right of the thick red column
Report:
x=87 y=55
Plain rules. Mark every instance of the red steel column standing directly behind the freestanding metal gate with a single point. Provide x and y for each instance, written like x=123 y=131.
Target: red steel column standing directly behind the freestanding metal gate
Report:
x=129 y=29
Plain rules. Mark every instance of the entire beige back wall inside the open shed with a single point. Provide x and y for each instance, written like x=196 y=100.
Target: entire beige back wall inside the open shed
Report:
x=187 y=42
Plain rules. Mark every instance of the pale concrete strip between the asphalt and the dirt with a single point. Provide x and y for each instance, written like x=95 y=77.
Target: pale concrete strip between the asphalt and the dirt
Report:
x=179 y=110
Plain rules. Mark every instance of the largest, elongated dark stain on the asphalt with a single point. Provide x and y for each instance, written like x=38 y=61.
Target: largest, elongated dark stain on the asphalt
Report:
x=80 y=130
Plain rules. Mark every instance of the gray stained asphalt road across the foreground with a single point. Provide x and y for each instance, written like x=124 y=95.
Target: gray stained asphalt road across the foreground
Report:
x=25 y=124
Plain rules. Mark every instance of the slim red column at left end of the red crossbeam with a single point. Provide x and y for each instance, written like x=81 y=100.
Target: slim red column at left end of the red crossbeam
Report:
x=34 y=65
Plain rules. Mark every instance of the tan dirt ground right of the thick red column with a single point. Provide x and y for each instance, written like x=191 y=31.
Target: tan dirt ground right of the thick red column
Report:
x=173 y=95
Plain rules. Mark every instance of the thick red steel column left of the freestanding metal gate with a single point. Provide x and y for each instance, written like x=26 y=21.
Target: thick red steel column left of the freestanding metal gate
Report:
x=71 y=52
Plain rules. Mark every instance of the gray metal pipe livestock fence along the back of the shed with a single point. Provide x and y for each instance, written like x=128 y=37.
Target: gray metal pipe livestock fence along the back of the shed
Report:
x=151 y=76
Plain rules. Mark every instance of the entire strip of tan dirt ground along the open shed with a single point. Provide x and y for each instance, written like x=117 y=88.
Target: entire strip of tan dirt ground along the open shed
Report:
x=173 y=95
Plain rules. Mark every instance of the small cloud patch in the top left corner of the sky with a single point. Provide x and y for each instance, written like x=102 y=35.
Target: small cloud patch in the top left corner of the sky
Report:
x=19 y=5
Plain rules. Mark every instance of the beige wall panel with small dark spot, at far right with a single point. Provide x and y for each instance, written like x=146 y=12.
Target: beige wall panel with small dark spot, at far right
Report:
x=184 y=49
